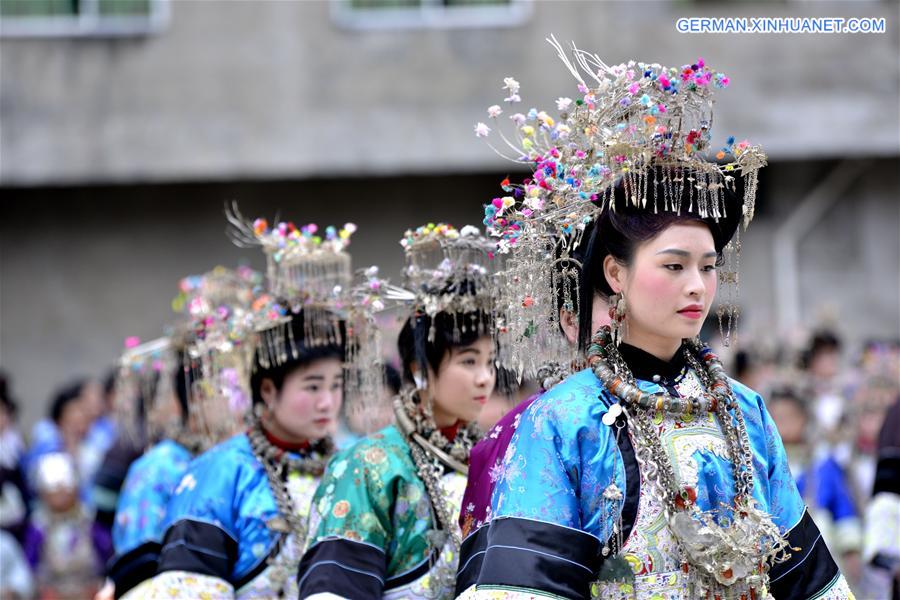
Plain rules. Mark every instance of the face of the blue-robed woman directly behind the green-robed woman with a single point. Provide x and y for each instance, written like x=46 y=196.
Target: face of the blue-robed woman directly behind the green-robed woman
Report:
x=307 y=406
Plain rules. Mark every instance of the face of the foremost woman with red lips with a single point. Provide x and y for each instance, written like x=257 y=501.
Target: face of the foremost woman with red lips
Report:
x=668 y=288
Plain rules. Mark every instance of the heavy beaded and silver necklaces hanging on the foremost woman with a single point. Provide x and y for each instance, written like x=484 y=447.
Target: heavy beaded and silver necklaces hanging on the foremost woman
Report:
x=721 y=558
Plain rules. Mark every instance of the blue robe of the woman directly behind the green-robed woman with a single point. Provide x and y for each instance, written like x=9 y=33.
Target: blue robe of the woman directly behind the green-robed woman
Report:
x=218 y=535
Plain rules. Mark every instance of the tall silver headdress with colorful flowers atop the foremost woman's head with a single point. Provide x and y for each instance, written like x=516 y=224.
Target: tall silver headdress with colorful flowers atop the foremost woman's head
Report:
x=633 y=121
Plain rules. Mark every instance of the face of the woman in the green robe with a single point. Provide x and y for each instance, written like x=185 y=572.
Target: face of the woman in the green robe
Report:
x=463 y=382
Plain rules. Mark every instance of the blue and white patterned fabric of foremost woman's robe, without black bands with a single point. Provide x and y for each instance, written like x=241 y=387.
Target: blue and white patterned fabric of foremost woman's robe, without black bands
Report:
x=562 y=458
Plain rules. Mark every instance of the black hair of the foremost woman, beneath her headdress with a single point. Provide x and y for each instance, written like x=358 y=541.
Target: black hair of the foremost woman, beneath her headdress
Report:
x=619 y=232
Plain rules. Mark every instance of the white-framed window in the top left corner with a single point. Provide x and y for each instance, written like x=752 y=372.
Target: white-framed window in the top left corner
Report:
x=93 y=18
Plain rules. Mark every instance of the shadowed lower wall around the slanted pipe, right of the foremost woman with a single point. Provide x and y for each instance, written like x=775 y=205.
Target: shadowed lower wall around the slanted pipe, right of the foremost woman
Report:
x=848 y=262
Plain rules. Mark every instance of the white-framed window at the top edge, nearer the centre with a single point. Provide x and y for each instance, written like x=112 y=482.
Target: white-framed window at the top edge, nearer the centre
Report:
x=401 y=14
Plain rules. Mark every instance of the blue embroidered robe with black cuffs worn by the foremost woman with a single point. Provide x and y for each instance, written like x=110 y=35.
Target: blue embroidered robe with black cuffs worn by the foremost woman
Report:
x=550 y=520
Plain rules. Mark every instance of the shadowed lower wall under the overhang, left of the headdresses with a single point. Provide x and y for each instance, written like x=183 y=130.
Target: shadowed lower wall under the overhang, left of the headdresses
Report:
x=83 y=268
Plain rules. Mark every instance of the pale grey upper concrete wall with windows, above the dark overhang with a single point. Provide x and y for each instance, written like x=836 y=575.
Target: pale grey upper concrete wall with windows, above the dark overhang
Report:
x=276 y=89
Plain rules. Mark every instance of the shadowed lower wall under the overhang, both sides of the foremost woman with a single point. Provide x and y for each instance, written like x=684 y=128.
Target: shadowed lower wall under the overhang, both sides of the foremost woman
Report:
x=82 y=268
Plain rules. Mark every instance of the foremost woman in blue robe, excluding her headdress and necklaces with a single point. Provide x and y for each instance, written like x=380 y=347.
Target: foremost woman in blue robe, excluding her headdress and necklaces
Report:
x=570 y=487
